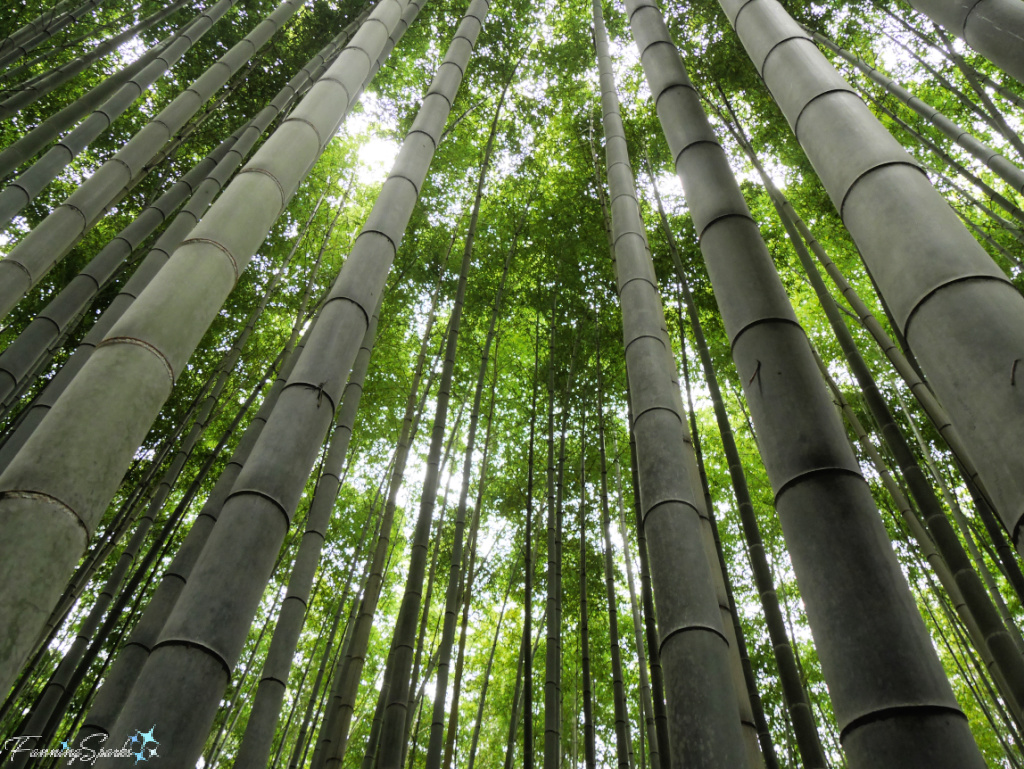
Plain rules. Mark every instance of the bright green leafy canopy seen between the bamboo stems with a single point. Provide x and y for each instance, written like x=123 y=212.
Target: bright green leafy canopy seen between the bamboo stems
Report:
x=548 y=172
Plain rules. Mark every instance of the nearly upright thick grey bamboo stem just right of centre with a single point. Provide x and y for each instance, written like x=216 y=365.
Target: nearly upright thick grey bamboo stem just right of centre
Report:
x=702 y=702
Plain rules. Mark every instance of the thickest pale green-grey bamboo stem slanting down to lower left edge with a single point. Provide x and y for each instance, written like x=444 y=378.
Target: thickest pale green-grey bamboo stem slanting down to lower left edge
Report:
x=106 y=411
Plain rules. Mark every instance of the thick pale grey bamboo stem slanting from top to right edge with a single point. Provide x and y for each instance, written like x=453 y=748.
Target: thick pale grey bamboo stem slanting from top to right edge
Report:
x=943 y=305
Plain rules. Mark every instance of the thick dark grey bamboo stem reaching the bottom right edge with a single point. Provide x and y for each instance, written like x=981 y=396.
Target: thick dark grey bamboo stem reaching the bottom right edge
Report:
x=828 y=514
